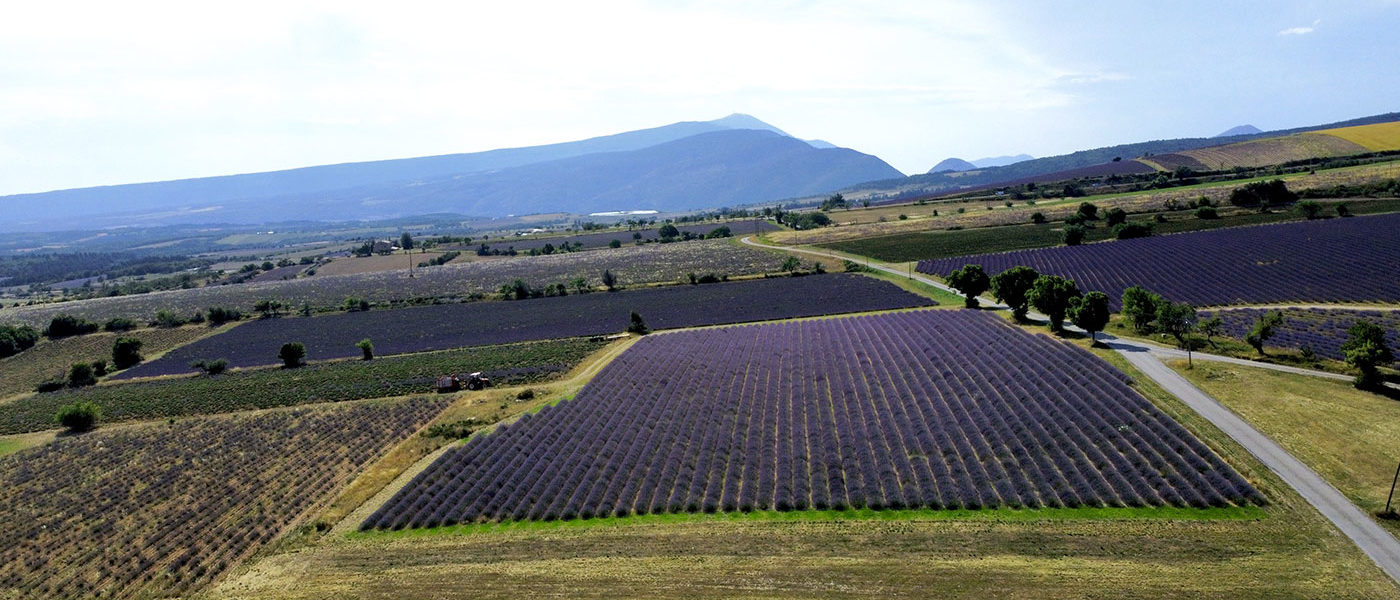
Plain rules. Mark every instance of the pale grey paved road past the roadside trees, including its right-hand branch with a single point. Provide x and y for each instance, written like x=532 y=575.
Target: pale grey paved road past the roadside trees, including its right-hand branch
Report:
x=1380 y=545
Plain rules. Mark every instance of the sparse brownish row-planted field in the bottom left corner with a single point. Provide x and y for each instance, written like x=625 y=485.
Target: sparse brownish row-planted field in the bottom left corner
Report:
x=164 y=511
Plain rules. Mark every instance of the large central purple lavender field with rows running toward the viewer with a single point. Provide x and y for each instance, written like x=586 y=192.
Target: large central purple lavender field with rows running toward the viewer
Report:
x=925 y=409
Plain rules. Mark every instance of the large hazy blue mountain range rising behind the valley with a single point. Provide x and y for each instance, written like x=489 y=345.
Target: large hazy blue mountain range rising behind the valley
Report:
x=734 y=160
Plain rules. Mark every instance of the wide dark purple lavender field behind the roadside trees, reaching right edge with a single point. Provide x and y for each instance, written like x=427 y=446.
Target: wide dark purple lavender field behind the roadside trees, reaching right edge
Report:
x=1332 y=261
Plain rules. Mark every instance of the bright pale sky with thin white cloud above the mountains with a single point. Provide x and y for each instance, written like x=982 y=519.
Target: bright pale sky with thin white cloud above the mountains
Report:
x=120 y=93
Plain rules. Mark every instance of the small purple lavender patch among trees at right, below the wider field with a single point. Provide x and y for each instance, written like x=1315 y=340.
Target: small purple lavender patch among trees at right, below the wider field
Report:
x=1319 y=329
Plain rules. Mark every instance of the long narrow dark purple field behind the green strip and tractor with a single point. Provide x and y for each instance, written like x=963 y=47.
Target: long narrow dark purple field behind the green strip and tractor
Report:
x=481 y=324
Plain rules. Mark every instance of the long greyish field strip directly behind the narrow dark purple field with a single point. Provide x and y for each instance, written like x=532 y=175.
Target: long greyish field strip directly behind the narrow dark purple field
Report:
x=632 y=266
